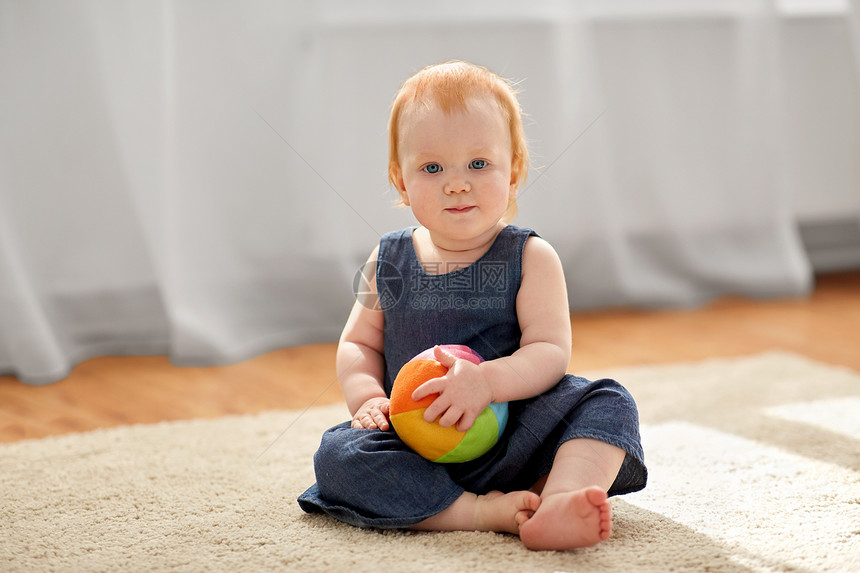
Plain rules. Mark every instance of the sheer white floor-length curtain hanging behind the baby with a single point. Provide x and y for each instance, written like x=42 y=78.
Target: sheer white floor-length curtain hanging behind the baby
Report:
x=203 y=179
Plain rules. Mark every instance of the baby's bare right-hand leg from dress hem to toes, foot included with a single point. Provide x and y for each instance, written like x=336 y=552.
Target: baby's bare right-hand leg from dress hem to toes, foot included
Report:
x=574 y=510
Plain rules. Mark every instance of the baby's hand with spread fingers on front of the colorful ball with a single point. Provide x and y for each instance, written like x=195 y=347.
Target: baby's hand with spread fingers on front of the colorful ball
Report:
x=463 y=392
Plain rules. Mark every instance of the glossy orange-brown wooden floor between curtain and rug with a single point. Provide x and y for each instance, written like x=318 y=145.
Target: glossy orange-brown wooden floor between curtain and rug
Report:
x=111 y=391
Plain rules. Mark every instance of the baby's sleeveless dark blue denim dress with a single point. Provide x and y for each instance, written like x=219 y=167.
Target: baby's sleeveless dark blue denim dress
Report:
x=370 y=478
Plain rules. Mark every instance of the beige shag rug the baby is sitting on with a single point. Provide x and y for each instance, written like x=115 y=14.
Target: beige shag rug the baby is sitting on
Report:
x=754 y=466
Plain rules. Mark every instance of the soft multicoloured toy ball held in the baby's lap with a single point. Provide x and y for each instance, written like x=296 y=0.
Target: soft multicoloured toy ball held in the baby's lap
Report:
x=429 y=439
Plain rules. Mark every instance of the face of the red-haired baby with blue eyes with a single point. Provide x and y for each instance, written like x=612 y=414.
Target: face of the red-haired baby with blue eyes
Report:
x=455 y=168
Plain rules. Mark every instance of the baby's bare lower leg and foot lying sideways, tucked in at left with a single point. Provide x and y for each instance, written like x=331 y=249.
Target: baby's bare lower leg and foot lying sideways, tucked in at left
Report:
x=496 y=511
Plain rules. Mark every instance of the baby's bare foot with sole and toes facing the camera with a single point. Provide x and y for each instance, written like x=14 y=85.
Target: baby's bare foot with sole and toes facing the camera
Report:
x=566 y=520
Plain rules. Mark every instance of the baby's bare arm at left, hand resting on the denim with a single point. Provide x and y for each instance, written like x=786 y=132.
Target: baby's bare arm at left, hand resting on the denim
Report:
x=360 y=361
